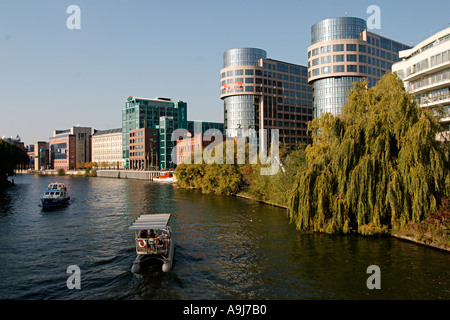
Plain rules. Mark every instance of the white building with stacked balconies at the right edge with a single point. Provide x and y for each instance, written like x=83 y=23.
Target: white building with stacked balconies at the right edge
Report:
x=425 y=71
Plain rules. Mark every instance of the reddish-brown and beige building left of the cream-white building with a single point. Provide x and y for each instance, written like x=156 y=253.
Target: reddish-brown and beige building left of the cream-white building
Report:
x=70 y=147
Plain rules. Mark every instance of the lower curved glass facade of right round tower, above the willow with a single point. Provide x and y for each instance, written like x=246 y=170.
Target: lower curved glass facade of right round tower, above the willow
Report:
x=330 y=94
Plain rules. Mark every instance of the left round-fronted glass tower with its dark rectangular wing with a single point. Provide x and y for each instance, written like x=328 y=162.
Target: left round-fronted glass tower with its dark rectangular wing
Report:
x=261 y=93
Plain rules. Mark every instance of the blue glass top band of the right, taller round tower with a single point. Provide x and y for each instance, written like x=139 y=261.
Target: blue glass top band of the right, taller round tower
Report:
x=337 y=28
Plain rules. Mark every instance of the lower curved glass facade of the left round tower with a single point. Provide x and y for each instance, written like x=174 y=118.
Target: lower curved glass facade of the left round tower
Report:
x=239 y=114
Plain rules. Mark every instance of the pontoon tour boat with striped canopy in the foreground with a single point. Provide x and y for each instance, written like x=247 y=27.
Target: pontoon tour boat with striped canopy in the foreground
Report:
x=154 y=240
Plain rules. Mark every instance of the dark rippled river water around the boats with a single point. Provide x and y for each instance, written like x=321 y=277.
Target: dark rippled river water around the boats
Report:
x=226 y=248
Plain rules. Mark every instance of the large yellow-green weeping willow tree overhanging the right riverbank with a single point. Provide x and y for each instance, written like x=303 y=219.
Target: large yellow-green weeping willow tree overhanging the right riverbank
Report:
x=377 y=165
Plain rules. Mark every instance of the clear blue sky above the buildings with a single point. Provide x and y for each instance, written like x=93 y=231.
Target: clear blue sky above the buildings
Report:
x=54 y=78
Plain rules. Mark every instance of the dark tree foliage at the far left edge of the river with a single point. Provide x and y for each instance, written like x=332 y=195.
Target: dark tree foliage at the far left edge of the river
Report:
x=11 y=158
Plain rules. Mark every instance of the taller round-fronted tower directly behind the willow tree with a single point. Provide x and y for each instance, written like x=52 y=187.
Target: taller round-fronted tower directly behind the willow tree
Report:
x=342 y=52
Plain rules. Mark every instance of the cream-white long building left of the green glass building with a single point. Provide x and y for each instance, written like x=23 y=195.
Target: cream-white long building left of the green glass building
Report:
x=107 y=148
